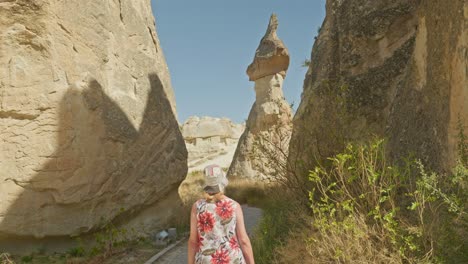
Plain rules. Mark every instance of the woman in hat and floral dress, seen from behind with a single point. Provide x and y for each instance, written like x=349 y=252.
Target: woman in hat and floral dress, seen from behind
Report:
x=217 y=230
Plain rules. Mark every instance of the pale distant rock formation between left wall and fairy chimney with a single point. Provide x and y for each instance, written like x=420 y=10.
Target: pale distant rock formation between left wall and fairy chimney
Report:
x=210 y=140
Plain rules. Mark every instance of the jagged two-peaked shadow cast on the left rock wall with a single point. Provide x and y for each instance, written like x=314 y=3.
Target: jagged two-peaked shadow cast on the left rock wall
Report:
x=103 y=168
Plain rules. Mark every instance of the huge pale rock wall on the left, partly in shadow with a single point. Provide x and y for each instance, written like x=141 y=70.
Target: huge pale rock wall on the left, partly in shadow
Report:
x=87 y=117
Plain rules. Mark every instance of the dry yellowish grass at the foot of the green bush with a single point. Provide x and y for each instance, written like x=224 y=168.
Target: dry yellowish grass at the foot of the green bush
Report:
x=339 y=245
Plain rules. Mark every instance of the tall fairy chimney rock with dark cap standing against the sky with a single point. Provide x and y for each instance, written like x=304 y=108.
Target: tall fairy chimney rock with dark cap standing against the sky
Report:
x=264 y=143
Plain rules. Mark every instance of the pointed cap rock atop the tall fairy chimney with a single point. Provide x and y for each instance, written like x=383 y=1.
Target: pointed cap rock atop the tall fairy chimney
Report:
x=271 y=57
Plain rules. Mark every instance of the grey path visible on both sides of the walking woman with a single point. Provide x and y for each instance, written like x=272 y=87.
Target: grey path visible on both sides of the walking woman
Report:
x=178 y=255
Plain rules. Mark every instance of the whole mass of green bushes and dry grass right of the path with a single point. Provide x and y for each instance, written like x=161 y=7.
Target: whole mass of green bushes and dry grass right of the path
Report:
x=363 y=209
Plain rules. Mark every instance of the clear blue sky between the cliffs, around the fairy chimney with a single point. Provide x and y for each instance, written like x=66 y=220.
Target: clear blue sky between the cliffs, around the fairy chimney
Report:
x=208 y=45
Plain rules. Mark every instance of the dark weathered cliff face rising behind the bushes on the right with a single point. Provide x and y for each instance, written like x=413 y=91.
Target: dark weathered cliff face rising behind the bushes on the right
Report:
x=394 y=69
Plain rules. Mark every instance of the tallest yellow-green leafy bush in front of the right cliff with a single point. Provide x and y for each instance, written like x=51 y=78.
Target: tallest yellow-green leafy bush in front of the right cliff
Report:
x=357 y=193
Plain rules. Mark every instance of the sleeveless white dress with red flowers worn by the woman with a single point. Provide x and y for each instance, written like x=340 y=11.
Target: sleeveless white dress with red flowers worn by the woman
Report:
x=216 y=226
